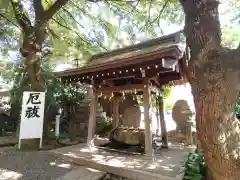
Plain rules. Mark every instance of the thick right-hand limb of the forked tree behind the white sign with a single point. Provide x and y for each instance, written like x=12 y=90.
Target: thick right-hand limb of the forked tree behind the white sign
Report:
x=54 y=9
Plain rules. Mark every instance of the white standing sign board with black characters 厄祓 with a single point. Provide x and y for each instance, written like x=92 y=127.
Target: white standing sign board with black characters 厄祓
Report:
x=32 y=116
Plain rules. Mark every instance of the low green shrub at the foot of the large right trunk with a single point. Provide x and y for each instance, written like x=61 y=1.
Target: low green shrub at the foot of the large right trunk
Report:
x=195 y=167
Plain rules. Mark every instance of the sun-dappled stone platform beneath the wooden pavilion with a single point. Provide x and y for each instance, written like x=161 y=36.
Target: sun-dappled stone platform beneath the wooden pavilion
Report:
x=163 y=167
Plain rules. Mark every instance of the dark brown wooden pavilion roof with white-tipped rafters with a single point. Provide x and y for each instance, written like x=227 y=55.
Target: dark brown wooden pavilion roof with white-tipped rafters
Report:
x=162 y=56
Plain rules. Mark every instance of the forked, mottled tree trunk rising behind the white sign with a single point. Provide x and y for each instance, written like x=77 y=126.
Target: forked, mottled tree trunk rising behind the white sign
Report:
x=34 y=36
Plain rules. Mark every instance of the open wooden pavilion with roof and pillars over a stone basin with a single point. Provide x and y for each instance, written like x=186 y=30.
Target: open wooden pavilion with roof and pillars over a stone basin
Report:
x=141 y=69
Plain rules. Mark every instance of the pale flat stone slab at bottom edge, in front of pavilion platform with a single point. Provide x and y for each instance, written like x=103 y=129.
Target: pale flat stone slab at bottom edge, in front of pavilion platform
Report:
x=84 y=173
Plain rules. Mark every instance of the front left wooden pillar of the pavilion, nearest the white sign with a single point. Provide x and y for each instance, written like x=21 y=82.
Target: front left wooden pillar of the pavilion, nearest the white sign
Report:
x=92 y=115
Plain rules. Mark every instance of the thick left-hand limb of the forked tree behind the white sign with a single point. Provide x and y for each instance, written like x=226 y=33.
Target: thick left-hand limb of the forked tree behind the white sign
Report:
x=20 y=16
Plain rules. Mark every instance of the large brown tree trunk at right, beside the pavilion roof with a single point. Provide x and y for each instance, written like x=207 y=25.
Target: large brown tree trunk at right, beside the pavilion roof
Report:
x=213 y=83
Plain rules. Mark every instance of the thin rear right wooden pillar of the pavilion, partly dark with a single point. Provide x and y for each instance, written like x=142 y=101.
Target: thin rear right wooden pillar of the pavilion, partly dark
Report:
x=163 y=123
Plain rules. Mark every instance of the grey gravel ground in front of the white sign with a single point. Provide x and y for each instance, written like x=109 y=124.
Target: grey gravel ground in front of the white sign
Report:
x=31 y=165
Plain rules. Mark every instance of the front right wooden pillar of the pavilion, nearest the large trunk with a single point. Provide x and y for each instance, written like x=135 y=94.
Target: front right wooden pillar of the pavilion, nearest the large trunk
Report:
x=147 y=119
